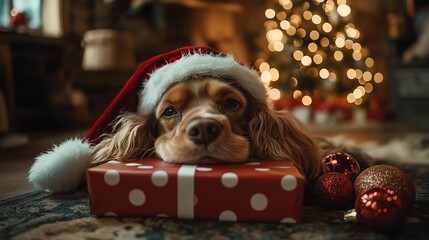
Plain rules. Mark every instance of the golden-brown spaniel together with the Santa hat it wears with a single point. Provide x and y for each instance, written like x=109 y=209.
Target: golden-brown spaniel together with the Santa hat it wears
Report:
x=191 y=105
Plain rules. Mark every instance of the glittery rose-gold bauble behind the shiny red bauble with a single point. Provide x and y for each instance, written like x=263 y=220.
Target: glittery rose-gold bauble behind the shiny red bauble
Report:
x=389 y=177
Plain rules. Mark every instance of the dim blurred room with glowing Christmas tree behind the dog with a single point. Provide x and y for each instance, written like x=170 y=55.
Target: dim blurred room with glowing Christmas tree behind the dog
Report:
x=333 y=63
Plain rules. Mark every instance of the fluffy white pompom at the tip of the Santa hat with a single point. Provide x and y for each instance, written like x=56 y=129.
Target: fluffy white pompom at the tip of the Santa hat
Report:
x=63 y=168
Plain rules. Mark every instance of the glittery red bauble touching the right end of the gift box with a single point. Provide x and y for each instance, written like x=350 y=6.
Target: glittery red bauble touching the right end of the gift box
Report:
x=334 y=190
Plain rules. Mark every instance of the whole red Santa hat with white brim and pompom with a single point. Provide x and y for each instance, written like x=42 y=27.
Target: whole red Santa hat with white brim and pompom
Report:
x=64 y=167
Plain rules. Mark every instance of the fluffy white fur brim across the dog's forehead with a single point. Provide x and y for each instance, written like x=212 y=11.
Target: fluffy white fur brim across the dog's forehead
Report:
x=198 y=64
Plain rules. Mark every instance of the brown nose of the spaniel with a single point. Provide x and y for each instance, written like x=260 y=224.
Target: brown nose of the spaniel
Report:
x=203 y=131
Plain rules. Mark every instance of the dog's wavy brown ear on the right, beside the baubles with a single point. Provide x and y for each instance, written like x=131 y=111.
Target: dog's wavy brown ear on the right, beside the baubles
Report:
x=278 y=135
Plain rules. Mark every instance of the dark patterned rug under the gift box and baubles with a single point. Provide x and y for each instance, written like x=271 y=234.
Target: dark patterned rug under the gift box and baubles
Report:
x=41 y=215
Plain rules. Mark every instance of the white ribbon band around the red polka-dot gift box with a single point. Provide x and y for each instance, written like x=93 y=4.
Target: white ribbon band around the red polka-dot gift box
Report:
x=185 y=191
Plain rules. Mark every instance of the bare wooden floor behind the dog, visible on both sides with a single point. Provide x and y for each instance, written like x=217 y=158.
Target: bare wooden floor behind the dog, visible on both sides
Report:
x=15 y=162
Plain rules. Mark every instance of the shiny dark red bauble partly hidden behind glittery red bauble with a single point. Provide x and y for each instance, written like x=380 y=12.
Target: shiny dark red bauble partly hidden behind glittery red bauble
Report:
x=342 y=162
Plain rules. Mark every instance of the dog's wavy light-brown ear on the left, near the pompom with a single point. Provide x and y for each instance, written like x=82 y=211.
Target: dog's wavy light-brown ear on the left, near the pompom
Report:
x=132 y=137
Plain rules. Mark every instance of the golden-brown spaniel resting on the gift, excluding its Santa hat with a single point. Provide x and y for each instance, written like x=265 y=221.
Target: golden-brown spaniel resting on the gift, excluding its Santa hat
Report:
x=210 y=120
